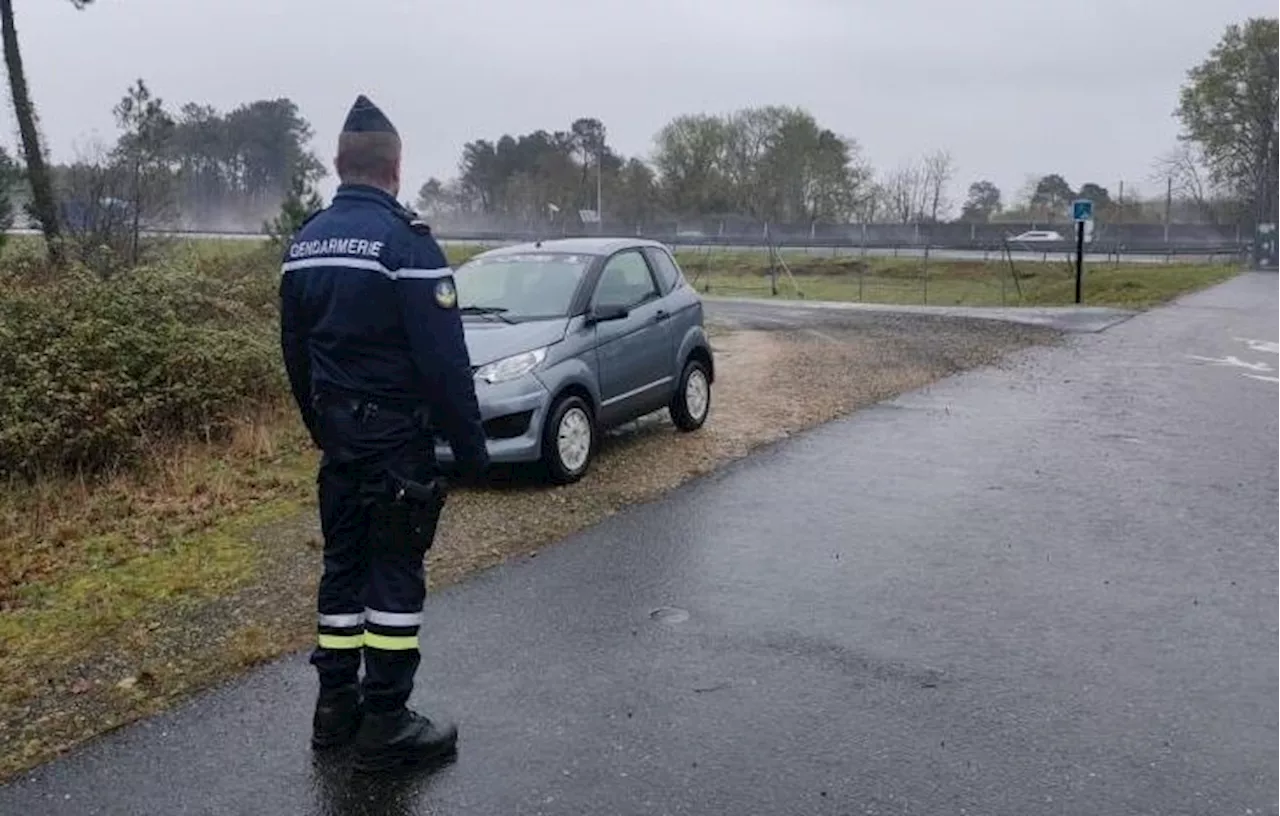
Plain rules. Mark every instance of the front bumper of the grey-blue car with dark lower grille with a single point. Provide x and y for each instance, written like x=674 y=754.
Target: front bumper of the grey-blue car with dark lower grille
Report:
x=514 y=415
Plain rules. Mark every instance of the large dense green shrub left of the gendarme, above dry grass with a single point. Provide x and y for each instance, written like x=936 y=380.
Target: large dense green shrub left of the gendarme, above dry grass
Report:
x=93 y=373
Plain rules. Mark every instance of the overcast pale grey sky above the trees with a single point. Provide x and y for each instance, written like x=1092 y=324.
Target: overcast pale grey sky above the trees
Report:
x=1011 y=88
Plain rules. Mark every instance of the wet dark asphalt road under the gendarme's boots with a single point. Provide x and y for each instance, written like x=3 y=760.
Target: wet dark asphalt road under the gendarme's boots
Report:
x=1049 y=588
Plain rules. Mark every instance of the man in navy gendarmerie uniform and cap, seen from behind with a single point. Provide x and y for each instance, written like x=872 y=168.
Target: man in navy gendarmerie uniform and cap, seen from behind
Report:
x=376 y=355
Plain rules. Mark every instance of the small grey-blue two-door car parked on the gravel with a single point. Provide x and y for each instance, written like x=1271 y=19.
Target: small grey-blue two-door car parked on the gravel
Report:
x=570 y=338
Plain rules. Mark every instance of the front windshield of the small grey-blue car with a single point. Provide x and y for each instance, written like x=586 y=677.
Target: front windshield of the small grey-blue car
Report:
x=522 y=287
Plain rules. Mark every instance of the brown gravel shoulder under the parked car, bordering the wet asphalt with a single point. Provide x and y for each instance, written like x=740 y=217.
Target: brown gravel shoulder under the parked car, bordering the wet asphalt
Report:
x=772 y=383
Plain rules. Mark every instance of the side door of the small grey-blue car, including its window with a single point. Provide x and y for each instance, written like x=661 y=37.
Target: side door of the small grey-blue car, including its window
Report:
x=633 y=354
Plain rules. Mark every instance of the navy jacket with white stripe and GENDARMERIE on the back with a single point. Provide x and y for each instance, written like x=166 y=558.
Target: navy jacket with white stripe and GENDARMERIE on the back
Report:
x=368 y=309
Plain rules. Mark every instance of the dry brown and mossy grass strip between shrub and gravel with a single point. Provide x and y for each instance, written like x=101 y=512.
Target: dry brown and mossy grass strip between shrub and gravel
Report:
x=85 y=563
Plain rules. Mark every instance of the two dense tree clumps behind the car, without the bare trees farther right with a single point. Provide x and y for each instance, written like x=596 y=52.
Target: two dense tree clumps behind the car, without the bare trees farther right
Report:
x=770 y=163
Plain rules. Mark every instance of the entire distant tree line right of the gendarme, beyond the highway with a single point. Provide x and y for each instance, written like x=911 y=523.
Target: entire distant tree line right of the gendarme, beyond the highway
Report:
x=780 y=166
